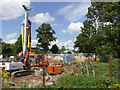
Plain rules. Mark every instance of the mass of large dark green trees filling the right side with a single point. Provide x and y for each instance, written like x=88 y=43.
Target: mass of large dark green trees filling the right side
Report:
x=102 y=38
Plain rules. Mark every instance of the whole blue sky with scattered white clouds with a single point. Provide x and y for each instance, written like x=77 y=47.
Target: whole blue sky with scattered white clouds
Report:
x=66 y=18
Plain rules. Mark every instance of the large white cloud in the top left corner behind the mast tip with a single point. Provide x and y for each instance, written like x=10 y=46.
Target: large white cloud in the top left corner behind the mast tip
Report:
x=11 y=9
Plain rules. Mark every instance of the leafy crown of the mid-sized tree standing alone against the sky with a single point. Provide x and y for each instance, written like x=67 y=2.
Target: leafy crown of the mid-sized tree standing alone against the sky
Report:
x=45 y=36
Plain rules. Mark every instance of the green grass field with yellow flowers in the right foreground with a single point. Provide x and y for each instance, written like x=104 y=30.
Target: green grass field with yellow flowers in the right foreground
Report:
x=101 y=80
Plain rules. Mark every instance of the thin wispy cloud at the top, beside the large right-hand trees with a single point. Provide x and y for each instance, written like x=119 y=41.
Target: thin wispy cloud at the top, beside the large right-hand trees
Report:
x=74 y=12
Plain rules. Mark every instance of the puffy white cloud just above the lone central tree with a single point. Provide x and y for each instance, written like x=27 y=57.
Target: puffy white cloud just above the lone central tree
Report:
x=42 y=18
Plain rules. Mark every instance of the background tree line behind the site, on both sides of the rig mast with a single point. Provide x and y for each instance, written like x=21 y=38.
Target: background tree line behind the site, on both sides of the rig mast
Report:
x=45 y=37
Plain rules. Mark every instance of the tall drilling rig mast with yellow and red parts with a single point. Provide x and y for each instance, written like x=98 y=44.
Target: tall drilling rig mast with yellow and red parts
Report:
x=26 y=38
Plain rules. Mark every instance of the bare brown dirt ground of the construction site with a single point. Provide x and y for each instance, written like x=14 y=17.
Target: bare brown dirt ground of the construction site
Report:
x=33 y=80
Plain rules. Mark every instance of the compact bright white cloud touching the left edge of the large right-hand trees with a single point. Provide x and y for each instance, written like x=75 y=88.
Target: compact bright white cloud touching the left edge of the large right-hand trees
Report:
x=74 y=28
